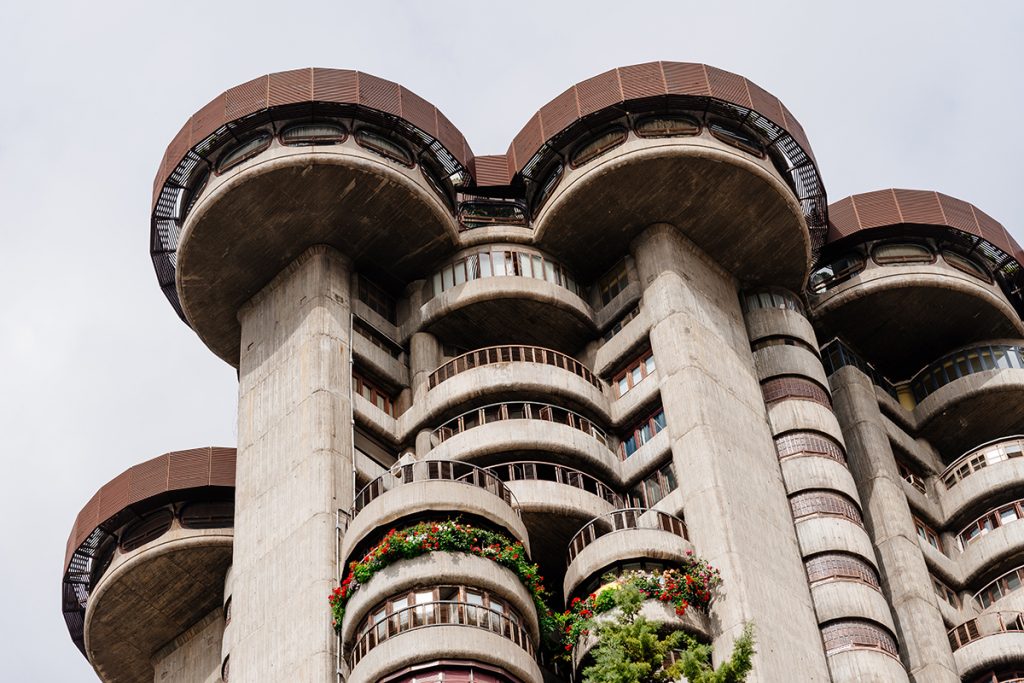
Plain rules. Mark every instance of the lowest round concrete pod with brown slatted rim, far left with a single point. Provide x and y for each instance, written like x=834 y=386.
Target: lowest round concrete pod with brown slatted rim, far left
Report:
x=170 y=517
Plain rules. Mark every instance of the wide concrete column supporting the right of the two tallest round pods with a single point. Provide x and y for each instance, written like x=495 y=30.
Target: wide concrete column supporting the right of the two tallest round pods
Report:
x=734 y=498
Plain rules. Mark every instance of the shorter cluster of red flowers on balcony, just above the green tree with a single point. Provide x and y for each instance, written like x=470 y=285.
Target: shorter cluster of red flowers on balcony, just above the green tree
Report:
x=690 y=586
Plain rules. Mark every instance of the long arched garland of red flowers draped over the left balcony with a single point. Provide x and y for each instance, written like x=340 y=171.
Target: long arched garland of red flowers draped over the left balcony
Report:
x=453 y=537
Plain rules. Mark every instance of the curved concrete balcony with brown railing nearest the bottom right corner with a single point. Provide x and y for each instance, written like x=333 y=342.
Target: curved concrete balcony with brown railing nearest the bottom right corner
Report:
x=990 y=642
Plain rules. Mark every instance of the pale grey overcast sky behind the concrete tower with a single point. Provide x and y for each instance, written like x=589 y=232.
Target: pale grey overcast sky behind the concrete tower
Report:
x=99 y=372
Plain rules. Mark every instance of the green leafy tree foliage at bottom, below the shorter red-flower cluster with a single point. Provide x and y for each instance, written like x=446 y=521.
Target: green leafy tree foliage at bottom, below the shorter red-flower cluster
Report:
x=631 y=651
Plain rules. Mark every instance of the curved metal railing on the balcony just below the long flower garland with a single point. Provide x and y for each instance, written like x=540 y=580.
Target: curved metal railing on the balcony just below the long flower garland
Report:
x=442 y=613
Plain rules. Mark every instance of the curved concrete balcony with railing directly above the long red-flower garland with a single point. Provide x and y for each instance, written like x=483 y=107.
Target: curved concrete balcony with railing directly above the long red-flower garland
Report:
x=436 y=487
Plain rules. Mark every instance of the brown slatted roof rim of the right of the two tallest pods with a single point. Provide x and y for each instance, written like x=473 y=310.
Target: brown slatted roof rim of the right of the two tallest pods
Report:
x=652 y=79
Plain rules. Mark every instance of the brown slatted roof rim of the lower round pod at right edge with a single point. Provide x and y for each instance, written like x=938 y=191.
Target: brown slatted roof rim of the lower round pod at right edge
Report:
x=884 y=208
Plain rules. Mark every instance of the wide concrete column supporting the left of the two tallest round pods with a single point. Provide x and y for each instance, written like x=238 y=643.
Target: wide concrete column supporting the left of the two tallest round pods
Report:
x=294 y=471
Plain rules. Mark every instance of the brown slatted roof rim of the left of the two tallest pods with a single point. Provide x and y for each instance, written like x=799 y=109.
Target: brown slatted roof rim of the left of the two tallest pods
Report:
x=313 y=84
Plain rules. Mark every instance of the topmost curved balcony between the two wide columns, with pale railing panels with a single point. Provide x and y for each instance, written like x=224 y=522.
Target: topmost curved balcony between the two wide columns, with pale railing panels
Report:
x=507 y=285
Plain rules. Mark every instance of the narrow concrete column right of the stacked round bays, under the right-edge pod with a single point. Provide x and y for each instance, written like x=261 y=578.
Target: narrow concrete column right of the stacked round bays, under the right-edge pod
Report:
x=905 y=576
